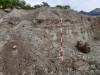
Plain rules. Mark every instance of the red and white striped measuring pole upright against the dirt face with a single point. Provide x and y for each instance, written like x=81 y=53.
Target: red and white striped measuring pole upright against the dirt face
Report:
x=61 y=53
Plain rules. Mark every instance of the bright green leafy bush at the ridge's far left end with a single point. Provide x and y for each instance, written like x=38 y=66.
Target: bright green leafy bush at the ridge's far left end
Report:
x=13 y=4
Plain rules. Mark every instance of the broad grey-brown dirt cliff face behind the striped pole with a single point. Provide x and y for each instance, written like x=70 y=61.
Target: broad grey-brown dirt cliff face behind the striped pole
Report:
x=30 y=42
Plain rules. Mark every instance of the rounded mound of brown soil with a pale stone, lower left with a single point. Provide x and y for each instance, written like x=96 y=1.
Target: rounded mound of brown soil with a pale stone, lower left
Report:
x=15 y=58
